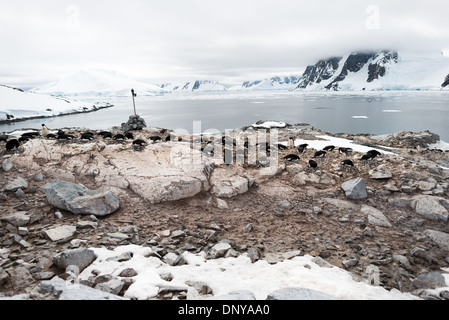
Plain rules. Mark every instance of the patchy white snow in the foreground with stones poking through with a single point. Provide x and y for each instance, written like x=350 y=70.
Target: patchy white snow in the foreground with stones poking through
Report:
x=230 y=274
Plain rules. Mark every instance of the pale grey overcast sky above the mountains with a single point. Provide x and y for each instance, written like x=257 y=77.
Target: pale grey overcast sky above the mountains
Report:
x=228 y=41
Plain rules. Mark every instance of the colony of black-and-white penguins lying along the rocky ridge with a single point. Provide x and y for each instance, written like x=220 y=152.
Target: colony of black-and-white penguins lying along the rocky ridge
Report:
x=229 y=147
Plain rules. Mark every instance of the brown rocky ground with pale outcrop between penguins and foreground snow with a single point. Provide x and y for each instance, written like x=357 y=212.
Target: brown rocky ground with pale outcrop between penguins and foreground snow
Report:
x=392 y=215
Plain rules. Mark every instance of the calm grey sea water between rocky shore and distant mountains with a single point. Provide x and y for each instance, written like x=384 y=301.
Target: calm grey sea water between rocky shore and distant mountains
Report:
x=357 y=112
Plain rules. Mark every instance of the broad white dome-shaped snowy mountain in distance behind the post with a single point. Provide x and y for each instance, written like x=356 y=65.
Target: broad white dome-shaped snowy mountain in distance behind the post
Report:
x=96 y=82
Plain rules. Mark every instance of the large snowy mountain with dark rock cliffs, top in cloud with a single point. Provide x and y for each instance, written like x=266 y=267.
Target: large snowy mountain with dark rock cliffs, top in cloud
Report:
x=383 y=70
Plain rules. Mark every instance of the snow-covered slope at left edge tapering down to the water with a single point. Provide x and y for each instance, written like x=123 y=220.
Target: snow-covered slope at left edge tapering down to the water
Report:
x=15 y=104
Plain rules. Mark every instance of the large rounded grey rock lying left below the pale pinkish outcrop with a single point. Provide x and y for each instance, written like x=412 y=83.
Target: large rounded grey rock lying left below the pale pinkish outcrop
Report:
x=80 y=200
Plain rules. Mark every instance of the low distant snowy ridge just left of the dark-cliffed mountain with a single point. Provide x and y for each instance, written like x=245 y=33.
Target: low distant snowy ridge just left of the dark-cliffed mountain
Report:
x=274 y=83
